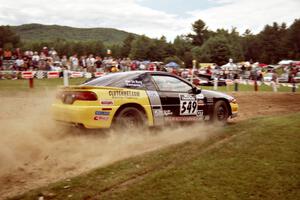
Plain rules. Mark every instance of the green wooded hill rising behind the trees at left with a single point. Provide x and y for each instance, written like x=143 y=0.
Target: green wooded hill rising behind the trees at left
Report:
x=39 y=32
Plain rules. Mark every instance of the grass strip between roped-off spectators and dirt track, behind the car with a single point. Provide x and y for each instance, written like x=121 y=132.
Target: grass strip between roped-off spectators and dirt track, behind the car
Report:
x=42 y=84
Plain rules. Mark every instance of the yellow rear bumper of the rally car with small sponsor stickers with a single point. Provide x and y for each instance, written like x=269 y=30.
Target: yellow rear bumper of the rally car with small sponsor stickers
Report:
x=88 y=116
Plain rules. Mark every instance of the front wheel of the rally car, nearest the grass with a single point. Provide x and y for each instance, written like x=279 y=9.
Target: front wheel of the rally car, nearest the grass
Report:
x=221 y=112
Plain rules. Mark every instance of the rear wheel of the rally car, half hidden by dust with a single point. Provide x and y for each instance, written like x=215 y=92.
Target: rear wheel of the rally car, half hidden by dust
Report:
x=129 y=117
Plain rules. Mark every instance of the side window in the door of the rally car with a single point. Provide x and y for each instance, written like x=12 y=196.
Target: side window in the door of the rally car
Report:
x=172 y=84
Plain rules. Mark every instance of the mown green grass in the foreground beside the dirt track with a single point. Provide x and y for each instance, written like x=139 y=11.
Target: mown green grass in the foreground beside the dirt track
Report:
x=258 y=160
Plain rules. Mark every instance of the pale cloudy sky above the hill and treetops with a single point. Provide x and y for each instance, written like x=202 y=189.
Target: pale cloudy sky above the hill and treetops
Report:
x=153 y=18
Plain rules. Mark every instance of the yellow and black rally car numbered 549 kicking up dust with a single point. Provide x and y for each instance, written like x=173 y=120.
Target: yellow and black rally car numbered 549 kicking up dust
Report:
x=140 y=98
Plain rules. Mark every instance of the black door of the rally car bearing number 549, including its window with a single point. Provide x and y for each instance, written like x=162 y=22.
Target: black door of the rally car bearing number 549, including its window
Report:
x=178 y=101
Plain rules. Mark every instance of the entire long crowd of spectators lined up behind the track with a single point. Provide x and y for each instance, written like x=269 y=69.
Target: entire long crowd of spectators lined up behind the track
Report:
x=48 y=59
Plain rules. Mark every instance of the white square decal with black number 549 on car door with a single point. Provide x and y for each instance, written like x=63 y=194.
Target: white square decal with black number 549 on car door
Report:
x=188 y=105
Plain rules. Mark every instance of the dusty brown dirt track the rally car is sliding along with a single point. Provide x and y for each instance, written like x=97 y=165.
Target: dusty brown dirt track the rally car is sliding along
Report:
x=34 y=151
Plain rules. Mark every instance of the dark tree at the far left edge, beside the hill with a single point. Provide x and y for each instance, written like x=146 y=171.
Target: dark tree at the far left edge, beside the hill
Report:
x=8 y=36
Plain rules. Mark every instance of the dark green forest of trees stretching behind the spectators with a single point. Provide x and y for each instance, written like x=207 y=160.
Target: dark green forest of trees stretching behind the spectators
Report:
x=272 y=44
